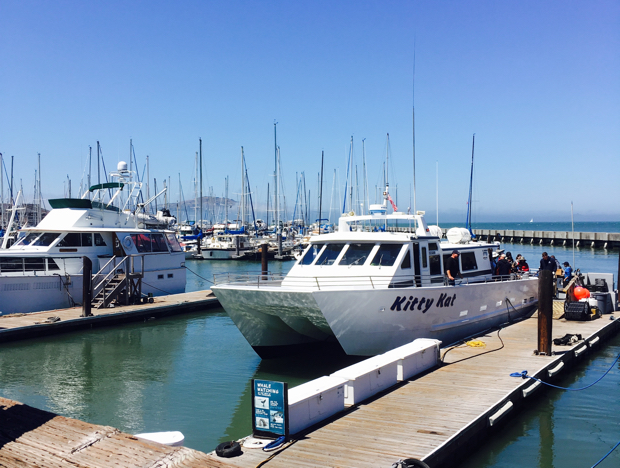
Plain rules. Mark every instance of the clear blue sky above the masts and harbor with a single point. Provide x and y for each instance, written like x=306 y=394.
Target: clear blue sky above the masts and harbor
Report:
x=538 y=83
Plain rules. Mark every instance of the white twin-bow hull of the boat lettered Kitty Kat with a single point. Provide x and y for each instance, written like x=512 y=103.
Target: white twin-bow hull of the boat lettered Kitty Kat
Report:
x=368 y=322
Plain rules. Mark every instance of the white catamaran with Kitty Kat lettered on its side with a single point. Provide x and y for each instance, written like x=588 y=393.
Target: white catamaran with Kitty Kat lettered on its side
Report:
x=375 y=284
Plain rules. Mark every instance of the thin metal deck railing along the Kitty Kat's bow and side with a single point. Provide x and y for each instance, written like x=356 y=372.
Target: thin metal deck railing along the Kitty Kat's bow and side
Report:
x=358 y=282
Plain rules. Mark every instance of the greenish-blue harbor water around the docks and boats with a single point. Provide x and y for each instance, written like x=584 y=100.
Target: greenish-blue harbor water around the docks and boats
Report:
x=193 y=372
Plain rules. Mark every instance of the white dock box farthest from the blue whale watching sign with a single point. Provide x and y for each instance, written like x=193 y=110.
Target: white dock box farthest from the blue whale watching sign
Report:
x=415 y=357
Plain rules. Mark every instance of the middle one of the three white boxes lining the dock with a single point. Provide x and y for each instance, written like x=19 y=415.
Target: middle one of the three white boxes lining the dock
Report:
x=367 y=378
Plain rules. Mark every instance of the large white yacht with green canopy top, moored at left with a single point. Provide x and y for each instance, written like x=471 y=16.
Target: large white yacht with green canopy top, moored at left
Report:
x=43 y=270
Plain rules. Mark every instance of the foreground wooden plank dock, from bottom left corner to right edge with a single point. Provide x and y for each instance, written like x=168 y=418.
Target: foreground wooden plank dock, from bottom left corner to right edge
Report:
x=436 y=417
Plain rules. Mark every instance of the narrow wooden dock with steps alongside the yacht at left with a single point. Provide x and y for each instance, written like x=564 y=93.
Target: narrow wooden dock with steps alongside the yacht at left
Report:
x=34 y=324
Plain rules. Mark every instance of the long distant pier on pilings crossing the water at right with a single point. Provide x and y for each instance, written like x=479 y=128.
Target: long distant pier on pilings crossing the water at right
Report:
x=605 y=240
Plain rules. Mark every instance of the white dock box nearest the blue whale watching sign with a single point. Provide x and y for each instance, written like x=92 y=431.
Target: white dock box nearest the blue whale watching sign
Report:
x=314 y=401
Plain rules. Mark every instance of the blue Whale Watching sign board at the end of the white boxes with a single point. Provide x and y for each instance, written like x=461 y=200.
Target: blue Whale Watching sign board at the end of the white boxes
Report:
x=269 y=408
